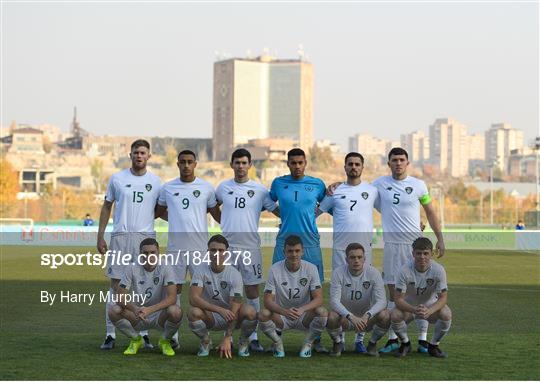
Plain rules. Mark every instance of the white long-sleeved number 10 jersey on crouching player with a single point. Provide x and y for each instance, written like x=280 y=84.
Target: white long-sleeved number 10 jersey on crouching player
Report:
x=357 y=294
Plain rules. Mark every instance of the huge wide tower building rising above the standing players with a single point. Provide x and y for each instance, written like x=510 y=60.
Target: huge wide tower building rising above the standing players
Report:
x=258 y=98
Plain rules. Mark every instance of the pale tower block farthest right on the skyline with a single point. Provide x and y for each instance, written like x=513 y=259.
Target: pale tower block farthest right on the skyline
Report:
x=501 y=138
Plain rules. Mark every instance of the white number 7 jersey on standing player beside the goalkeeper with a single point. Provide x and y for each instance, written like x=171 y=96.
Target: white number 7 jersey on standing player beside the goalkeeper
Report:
x=352 y=210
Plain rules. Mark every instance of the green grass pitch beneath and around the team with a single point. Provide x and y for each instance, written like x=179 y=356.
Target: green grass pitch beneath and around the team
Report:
x=495 y=333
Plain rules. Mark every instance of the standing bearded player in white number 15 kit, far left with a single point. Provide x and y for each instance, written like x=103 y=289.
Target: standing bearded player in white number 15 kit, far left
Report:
x=134 y=192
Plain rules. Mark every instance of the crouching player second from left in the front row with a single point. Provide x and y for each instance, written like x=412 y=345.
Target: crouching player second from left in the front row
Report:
x=216 y=299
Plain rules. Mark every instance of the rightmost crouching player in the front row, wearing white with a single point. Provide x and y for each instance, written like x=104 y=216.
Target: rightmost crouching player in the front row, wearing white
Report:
x=421 y=292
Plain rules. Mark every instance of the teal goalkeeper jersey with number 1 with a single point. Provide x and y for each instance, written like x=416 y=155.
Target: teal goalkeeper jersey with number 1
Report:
x=297 y=202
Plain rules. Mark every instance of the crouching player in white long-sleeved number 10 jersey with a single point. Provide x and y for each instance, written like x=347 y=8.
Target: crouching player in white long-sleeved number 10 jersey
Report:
x=358 y=301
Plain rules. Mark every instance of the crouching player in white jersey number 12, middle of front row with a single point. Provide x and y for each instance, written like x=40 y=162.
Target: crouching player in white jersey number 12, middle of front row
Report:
x=293 y=299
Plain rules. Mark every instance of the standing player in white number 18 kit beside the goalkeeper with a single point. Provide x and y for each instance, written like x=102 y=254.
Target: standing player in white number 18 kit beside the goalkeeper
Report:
x=242 y=200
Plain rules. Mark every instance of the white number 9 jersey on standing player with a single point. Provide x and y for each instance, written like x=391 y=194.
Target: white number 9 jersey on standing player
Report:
x=187 y=205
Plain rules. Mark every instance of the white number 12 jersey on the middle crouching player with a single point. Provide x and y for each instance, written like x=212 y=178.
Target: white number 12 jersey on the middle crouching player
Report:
x=292 y=289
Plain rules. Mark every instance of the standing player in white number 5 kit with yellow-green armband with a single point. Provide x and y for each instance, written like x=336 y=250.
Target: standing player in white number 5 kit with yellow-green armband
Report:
x=400 y=198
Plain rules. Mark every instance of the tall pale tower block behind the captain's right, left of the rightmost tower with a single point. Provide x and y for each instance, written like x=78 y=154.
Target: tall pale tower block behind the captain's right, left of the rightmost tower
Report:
x=448 y=143
